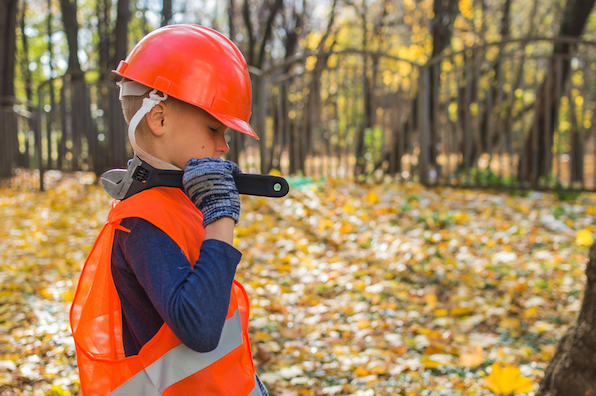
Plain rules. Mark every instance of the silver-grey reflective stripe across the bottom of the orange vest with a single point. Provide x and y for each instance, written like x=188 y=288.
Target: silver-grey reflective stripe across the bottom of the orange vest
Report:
x=181 y=362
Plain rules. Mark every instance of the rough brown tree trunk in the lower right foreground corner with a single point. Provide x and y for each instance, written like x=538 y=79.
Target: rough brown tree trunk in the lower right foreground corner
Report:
x=572 y=371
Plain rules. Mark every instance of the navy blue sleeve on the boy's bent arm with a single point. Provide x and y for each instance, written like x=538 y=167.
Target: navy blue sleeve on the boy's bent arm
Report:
x=193 y=302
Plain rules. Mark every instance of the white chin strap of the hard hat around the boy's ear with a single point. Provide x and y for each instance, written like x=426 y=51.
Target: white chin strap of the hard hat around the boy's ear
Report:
x=132 y=88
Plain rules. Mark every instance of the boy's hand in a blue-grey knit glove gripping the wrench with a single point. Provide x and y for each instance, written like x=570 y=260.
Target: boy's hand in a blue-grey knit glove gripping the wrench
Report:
x=209 y=184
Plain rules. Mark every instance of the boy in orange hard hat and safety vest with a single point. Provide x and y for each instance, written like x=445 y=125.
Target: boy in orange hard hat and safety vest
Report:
x=157 y=310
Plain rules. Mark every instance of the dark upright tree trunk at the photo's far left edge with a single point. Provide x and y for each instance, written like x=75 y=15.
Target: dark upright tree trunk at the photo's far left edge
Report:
x=8 y=126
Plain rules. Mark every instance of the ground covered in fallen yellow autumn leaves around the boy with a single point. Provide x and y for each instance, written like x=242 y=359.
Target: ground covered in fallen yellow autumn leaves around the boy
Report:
x=355 y=289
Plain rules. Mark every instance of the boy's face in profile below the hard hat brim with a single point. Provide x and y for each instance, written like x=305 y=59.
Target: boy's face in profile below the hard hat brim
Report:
x=190 y=132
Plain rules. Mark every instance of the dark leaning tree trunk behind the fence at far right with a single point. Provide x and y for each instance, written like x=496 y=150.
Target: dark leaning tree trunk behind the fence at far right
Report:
x=535 y=156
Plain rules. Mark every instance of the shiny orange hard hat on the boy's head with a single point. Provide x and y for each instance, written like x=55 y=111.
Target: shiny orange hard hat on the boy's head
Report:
x=197 y=65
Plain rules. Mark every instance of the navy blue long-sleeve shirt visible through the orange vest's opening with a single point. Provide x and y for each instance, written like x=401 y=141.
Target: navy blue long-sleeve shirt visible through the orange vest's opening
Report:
x=155 y=282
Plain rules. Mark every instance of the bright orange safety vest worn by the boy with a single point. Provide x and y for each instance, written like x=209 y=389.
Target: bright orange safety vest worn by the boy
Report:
x=164 y=366
